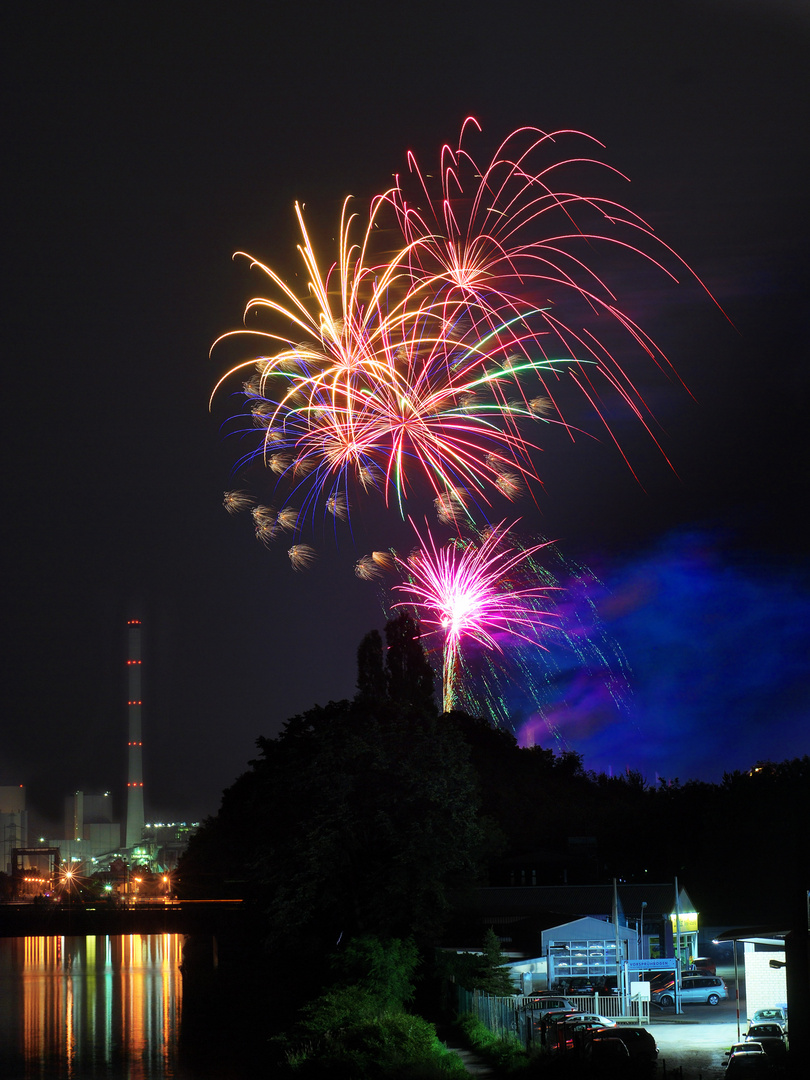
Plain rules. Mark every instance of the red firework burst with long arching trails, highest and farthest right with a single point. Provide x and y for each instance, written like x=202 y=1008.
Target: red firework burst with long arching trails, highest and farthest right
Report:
x=487 y=239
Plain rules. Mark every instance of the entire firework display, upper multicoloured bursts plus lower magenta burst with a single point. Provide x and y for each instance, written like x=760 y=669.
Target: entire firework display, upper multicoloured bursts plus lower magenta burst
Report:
x=457 y=322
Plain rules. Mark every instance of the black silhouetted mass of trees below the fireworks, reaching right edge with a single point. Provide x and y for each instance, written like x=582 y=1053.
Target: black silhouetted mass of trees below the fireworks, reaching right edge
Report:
x=374 y=816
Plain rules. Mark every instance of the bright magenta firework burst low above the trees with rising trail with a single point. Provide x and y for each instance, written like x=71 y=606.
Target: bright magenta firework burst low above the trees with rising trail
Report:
x=476 y=591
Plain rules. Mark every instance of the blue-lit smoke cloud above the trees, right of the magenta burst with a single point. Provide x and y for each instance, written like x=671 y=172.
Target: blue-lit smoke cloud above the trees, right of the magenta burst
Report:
x=719 y=657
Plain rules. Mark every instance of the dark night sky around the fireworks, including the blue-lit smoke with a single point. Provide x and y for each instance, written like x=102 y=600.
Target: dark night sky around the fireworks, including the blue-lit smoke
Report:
x=144 y=144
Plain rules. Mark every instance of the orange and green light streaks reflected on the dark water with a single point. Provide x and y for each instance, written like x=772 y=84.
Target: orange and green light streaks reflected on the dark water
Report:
x=90 y=1007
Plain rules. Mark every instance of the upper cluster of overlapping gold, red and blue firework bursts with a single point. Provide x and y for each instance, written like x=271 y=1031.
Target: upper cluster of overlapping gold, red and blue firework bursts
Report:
x=428 y=368
